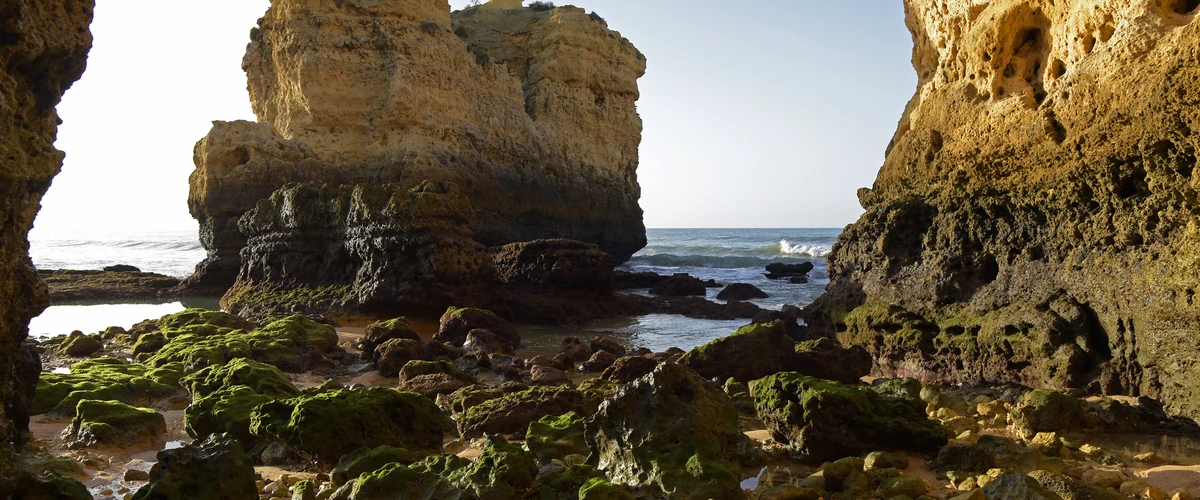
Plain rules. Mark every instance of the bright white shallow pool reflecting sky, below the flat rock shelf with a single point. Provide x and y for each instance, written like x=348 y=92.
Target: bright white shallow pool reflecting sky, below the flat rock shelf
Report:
x=94 y=318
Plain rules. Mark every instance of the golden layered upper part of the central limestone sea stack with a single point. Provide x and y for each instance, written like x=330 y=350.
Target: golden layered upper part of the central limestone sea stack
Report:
x=531 y=113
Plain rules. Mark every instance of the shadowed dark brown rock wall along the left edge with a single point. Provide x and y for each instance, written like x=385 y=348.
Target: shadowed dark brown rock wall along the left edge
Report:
x=44 y=50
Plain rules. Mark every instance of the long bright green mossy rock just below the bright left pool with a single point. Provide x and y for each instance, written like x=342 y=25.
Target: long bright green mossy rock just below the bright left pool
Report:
x=283 y=344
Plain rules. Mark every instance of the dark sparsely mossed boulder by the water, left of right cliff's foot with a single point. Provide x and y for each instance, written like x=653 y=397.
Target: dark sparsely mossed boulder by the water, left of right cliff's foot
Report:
x=767 y=345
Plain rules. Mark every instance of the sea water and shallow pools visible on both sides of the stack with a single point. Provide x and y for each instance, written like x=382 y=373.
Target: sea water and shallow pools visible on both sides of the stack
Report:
x=728 y=256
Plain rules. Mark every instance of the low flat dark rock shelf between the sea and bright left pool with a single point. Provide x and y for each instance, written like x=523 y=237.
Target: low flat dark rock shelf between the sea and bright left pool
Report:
x=75 y=287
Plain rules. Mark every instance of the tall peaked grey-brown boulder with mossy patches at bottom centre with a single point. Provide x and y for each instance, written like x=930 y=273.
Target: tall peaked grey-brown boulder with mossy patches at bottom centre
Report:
x=670 y=435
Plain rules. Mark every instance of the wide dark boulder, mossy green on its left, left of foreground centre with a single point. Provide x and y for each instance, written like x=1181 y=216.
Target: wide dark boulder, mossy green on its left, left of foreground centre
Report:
x=327 y=426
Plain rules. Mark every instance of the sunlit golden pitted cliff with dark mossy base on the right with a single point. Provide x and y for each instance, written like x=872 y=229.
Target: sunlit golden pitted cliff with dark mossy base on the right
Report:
x=1035 y=221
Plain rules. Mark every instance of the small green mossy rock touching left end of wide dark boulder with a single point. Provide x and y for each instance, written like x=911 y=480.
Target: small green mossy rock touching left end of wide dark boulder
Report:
x=226 y=411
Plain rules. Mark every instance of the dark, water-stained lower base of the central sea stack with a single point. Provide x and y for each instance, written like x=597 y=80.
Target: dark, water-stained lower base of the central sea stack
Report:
x=362 y=250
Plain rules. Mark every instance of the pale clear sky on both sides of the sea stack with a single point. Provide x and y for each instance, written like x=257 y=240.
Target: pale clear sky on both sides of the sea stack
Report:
x=766 y=115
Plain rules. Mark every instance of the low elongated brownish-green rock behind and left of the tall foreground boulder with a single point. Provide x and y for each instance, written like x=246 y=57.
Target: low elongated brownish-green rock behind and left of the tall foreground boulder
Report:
x=512 y=414
